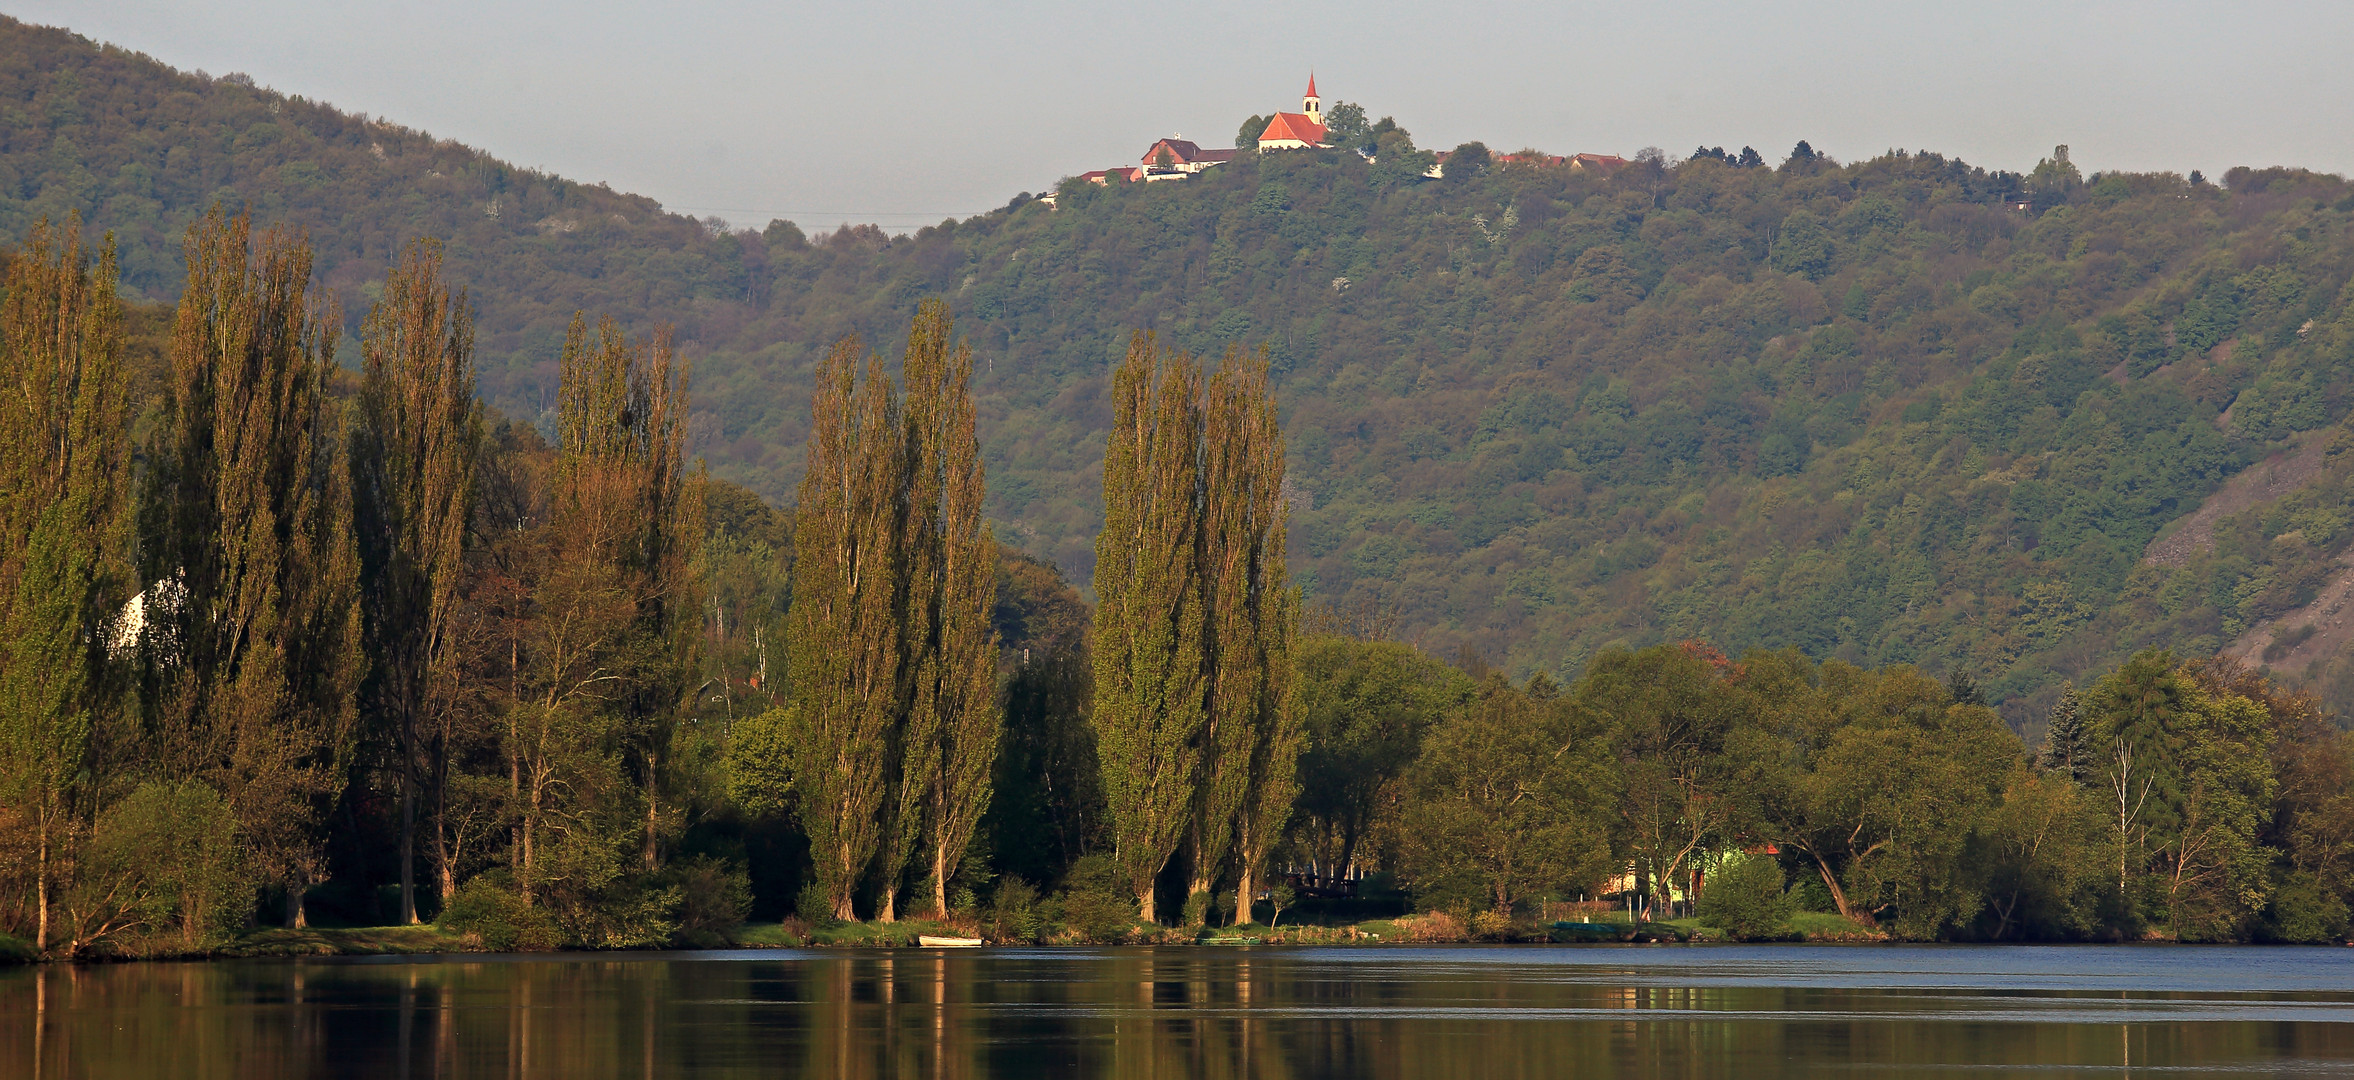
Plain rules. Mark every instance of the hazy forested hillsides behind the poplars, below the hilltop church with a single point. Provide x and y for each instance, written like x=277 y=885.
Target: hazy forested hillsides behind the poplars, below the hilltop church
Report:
x=1863 y=411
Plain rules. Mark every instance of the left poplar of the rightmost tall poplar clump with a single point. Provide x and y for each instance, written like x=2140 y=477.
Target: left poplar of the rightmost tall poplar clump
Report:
x=1150 y=615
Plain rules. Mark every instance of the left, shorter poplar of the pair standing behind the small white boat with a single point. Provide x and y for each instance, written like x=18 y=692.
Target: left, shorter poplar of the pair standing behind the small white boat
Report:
x=844 y=629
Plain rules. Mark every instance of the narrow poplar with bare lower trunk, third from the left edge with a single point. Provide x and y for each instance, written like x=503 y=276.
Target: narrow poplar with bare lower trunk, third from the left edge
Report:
x=415 y=458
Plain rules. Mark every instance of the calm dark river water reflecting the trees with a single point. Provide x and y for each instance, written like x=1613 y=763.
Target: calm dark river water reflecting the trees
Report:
x=1216 y=1013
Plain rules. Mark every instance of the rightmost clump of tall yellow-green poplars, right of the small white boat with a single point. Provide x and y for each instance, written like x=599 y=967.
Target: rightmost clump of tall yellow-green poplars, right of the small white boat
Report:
x=1195 y=622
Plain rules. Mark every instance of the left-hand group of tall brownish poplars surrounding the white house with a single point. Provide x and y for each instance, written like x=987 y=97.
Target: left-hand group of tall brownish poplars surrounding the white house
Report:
x=288 y=589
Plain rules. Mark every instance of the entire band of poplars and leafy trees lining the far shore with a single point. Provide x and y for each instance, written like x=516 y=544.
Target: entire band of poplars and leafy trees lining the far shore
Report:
x=284 y=639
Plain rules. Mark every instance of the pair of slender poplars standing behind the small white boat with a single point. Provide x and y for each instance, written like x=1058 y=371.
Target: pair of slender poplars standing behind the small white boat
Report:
x=896 y=714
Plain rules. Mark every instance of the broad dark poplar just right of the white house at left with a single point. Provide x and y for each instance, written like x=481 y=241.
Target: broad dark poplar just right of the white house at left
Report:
x=253 y=625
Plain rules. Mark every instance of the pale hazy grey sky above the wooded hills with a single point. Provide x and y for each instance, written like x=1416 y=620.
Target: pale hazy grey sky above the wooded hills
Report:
x=907 y=112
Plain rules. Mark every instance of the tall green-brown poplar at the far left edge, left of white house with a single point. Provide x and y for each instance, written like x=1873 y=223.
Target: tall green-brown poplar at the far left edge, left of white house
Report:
x=62 y=531
